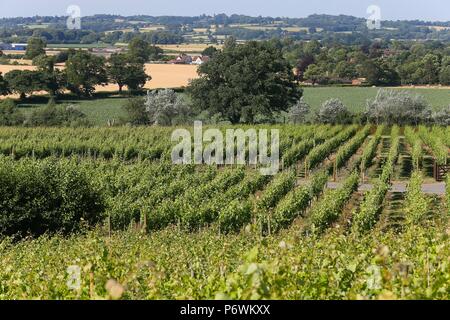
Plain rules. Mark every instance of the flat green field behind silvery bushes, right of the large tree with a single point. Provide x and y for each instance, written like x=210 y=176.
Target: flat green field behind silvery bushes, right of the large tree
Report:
x=355 y=98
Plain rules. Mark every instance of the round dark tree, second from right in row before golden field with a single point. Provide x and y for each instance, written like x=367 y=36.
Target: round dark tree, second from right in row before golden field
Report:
x=84 y=71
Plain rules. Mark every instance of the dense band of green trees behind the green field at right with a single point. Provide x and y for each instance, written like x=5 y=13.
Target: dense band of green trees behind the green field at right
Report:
x=380 y=63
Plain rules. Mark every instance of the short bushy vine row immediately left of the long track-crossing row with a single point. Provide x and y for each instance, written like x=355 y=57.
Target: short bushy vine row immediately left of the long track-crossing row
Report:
x=329 y=208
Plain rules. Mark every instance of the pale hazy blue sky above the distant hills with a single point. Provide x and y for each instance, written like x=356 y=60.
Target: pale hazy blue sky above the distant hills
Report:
x=390 y=9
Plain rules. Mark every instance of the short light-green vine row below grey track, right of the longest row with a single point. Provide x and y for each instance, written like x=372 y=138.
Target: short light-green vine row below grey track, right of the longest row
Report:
x=417 y=204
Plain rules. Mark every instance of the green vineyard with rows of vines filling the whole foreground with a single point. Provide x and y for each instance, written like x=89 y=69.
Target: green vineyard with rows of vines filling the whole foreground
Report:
x=356 y=212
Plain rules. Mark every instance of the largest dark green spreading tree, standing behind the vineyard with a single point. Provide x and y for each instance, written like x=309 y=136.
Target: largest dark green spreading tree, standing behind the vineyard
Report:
x=242 y=81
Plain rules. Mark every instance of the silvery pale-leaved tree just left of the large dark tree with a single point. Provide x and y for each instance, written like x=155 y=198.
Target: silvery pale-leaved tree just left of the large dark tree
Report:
x=165 y=108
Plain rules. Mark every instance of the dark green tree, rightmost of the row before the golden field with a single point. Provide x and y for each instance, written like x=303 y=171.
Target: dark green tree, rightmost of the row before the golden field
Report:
x=125 y=71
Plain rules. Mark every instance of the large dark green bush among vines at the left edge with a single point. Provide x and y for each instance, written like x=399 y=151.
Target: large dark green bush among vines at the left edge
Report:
x=46 y=197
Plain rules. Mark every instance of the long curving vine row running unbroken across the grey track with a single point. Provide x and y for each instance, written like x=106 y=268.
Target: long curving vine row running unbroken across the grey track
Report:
x=365 y=218
